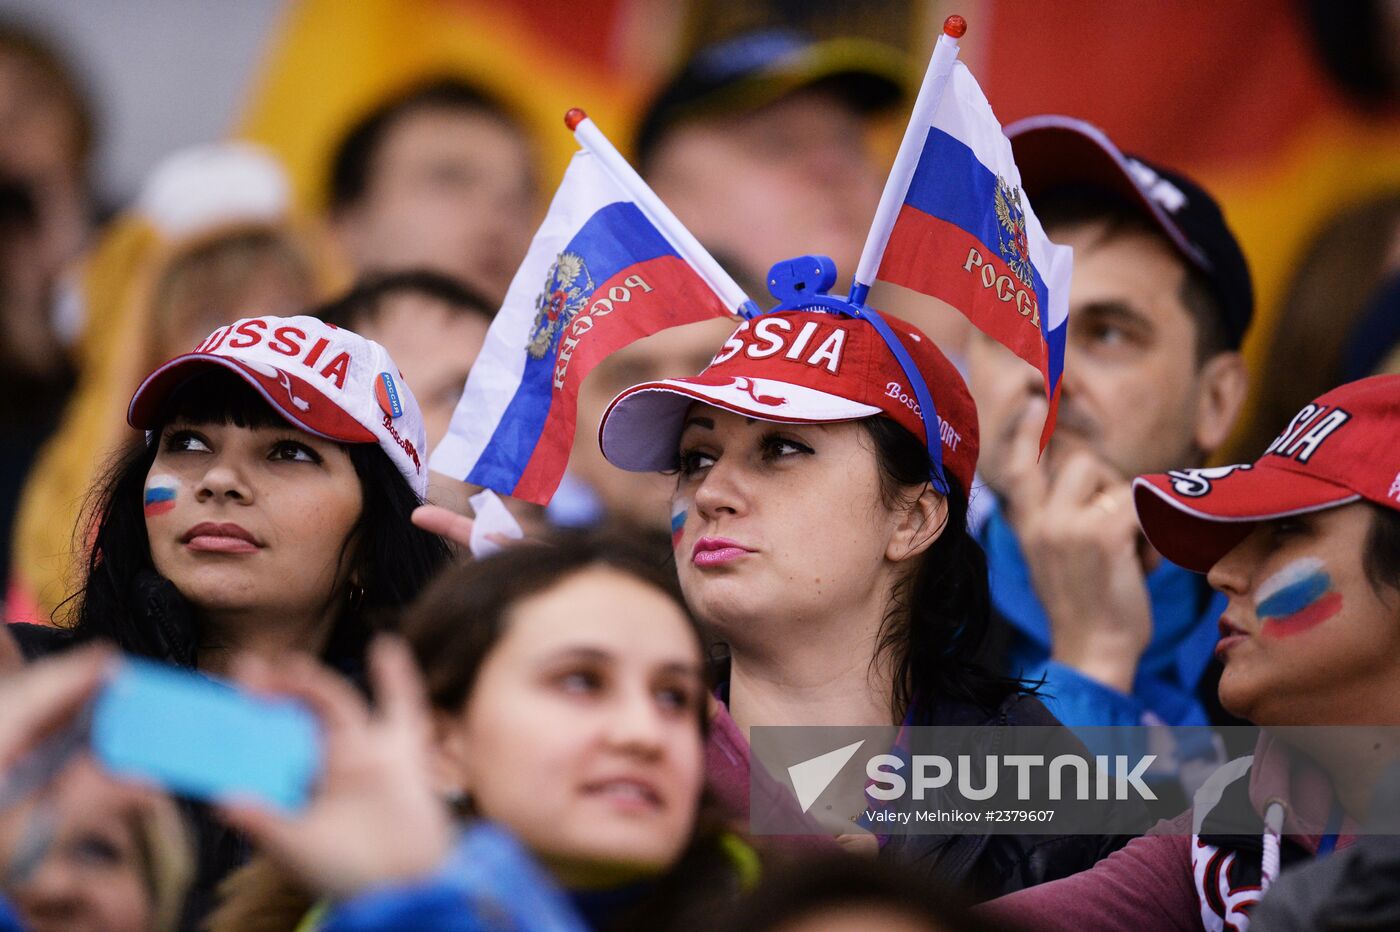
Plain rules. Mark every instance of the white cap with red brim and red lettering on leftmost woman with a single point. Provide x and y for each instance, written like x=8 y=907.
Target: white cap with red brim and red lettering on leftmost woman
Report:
x=325 y=380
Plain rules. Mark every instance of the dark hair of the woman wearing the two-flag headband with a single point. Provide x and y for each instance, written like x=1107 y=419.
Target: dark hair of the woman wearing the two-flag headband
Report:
x=936 y=628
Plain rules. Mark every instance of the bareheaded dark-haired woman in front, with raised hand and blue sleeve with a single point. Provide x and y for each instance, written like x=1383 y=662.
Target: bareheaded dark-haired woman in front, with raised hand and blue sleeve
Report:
x=569 y=705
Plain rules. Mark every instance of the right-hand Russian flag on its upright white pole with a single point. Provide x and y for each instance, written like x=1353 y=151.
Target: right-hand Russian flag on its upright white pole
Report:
x=964 y=232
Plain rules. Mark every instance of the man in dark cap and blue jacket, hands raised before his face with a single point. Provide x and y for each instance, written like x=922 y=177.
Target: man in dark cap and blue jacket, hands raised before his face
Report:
x=1160 y=302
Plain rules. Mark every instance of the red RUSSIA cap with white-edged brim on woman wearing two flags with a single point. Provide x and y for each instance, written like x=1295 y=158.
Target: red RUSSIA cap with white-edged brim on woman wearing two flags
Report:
x=799 y=367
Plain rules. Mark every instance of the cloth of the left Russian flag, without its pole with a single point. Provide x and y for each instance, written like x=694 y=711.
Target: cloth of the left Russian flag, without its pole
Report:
x=600 y=275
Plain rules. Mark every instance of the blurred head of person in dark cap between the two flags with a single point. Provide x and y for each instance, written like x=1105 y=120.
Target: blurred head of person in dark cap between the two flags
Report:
x=759 y=146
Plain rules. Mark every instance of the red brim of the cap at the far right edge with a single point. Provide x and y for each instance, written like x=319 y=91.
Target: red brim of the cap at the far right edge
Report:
x=1195 y=517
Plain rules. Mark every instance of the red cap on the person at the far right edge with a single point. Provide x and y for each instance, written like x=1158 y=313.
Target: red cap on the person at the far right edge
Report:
x=1343 y=447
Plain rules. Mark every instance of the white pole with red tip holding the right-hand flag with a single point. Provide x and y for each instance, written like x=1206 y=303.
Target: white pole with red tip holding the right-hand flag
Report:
x=897 y=187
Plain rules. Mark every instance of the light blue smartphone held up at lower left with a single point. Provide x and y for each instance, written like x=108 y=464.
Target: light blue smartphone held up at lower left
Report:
x=205 y=738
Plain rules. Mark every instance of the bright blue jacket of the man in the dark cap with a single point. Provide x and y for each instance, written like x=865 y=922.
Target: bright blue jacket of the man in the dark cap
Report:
x=1185 y=616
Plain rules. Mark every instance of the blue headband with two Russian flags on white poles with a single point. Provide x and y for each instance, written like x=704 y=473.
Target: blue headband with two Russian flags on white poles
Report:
x=611 y=265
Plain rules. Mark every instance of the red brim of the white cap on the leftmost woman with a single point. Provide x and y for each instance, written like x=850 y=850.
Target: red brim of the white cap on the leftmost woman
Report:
x=290 y=397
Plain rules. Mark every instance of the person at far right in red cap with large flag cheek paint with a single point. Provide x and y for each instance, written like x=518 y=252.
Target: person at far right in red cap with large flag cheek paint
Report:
x=1307 y=546
